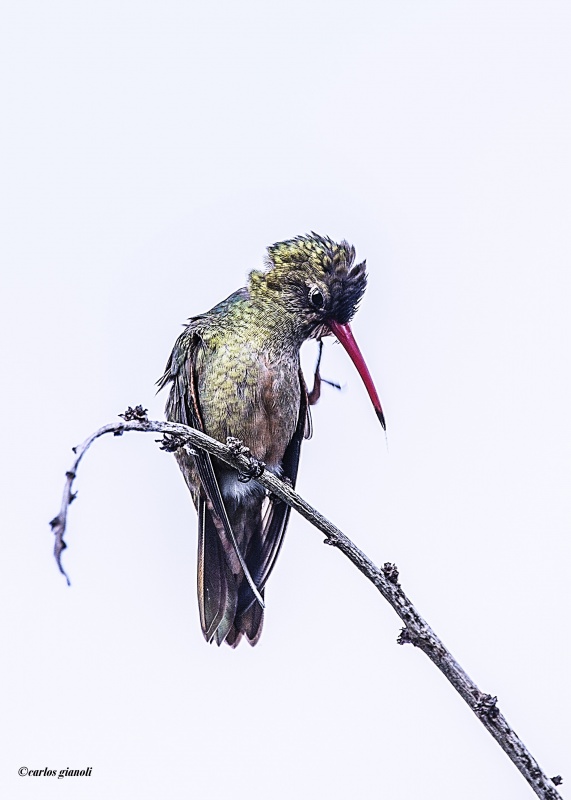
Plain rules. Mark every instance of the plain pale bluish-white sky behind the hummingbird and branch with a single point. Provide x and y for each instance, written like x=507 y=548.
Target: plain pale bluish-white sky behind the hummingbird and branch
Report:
x=149 y=154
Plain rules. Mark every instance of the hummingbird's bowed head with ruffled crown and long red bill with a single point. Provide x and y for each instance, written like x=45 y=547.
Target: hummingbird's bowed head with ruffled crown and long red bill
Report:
x=317 y=283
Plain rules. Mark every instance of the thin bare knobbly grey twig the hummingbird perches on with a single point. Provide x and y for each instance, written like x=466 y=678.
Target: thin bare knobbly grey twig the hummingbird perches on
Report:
x=415 y=631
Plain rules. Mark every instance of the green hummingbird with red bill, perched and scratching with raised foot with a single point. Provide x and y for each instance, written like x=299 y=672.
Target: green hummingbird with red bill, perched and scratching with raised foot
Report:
x=235 y=372
